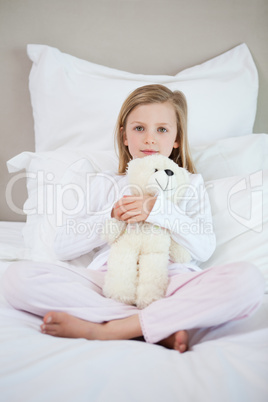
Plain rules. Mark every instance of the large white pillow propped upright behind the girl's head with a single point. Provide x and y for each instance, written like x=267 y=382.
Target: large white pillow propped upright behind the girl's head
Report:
x=76 y=103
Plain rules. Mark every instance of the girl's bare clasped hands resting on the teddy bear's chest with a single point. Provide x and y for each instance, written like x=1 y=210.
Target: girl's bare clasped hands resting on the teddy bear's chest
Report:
x=133 y=209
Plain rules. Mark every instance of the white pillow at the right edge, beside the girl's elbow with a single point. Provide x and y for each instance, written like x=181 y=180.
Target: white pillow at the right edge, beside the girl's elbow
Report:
x=240 y=217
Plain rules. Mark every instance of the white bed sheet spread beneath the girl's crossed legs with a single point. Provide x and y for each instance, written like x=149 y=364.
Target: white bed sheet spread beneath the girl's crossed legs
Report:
x=226 y=363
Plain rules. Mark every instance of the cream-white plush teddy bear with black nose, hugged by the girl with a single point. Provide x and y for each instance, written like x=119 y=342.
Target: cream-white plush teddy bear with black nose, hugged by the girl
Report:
x=137 y=265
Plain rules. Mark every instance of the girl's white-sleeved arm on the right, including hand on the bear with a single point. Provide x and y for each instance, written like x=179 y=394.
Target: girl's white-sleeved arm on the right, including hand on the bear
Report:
x=190 y=222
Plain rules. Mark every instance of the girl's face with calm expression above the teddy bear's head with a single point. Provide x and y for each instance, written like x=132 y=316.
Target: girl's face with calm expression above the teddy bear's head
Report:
x=151 y=129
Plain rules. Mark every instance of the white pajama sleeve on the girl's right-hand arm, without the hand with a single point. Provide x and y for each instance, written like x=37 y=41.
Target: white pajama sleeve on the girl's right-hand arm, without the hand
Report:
x=190 y=222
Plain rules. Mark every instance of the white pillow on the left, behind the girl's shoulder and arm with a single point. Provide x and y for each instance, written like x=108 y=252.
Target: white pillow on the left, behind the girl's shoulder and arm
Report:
x=54 y=180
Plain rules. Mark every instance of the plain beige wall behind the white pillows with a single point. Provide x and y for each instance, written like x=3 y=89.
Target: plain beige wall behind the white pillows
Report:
x=140 y=36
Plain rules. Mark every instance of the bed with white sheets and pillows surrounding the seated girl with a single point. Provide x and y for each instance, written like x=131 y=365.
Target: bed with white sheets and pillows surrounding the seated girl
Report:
x=70 y=98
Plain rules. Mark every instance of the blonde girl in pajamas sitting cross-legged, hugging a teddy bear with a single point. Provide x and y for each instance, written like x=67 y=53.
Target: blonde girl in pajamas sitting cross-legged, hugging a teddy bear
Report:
x=152 y=120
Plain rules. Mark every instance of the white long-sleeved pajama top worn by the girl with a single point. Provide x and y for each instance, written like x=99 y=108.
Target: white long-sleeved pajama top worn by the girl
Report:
x=190 y=222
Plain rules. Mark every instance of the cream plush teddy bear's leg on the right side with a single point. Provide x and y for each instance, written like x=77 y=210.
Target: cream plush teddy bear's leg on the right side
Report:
x=153 y=269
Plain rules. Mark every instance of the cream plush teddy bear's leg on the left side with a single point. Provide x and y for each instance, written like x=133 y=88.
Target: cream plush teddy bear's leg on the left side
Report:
x=121 y=277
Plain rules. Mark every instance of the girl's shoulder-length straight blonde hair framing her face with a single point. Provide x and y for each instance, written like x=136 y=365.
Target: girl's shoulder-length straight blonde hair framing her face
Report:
x=155 y=94
